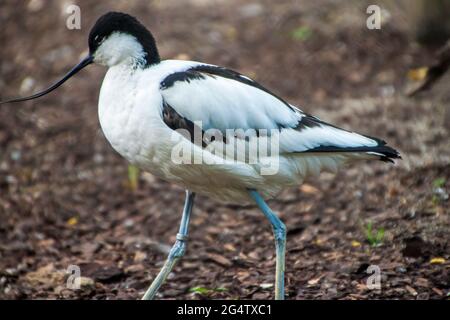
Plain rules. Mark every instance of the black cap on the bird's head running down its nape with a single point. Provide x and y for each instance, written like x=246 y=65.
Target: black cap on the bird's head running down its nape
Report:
x=121 y=22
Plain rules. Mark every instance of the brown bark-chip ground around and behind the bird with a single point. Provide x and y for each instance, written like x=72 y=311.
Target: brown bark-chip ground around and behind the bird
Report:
x=65 y=196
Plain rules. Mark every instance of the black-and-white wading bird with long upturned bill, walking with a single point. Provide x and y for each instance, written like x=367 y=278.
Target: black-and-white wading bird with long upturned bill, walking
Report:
x=150 y=111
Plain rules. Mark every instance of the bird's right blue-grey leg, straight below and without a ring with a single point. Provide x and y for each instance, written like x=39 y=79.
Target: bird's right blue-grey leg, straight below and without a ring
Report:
x=279 y=232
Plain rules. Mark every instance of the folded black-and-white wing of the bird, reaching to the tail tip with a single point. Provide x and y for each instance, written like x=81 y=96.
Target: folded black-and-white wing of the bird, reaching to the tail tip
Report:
x=219 y=98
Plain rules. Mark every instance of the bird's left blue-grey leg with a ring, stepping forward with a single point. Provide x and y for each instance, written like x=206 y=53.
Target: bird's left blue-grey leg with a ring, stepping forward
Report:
x=177 y=250
